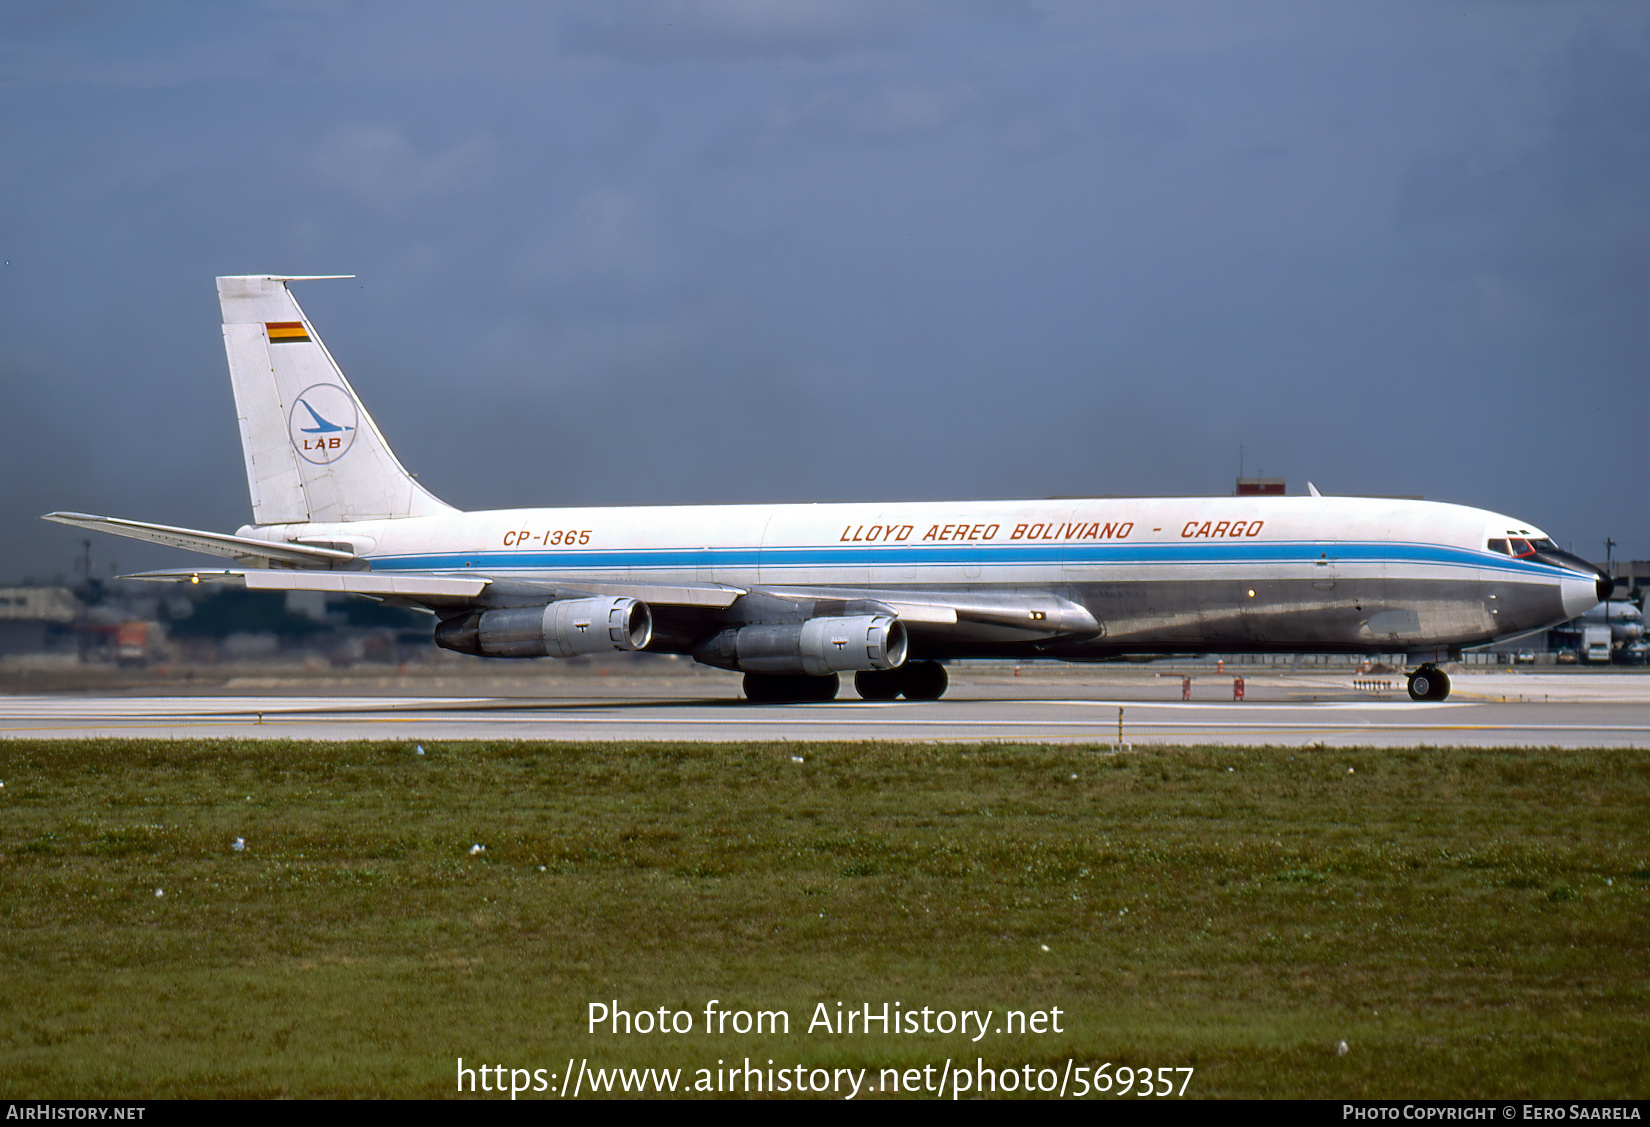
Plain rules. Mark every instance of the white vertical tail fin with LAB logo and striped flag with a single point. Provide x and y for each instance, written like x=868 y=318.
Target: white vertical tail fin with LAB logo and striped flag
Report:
x=313 y=453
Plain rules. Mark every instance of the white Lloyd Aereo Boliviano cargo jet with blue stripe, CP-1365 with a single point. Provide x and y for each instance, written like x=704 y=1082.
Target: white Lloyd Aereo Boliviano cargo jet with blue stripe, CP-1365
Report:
x=793 y=597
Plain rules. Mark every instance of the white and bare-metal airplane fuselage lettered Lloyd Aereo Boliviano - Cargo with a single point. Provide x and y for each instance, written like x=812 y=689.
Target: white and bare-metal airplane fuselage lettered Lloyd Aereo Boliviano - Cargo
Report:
x=1156 y=573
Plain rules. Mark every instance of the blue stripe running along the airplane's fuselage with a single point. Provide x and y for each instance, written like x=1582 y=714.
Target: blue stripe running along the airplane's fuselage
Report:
x=1075 y=555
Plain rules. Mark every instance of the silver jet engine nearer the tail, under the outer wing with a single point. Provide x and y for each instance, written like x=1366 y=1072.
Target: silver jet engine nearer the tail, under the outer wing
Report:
x=559 y=630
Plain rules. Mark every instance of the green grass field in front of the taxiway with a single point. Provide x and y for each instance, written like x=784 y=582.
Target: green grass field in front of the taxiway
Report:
x=1471 y=923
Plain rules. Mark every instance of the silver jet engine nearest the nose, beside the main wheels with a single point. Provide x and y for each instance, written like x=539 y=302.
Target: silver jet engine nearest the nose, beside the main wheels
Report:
x=816 y=646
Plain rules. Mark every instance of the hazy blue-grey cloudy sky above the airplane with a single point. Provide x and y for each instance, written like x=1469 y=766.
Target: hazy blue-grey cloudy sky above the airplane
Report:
x=837 y=250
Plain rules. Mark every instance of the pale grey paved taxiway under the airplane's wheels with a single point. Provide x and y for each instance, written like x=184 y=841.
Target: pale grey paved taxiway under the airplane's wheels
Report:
x=1487 y=710
